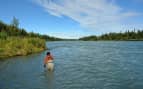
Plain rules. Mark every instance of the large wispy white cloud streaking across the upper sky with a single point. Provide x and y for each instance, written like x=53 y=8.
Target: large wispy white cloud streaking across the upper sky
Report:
x=91 y=14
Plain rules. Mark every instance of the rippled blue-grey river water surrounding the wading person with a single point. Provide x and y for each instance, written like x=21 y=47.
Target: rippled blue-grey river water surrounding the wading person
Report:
x=78 y=65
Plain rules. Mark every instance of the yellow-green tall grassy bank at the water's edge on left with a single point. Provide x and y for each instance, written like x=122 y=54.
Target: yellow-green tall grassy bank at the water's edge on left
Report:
x=17 y=46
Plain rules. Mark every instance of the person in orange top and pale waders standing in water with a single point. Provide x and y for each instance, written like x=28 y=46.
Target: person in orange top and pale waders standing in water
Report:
x=48 y=61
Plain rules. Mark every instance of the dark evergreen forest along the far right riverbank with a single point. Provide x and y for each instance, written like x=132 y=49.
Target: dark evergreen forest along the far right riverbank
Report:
x=134 y=35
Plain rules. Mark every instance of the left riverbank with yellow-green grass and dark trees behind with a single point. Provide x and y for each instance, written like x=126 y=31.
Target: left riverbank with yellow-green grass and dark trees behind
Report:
x=15 y=41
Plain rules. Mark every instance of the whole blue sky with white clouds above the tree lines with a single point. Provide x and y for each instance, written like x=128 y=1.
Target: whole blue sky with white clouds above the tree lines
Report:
x=74 y=18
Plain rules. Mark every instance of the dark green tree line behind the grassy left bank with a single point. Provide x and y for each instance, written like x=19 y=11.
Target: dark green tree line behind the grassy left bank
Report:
x=10 y=30
